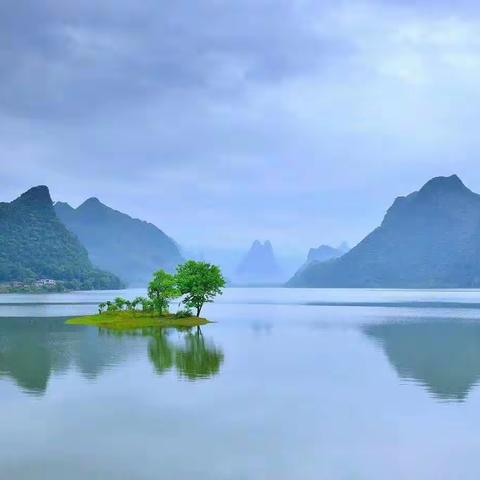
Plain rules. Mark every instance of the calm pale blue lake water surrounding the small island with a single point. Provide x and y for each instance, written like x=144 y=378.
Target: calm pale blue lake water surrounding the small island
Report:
x=288 y=384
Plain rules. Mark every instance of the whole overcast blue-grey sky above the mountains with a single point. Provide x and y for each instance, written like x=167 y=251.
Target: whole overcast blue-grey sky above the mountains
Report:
x=222 y=122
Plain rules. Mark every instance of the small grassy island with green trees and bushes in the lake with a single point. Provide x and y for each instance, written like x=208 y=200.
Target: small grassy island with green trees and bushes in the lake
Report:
x=196 y=282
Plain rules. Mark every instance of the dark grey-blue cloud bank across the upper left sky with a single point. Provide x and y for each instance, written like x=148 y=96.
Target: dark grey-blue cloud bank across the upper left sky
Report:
x=71 y=59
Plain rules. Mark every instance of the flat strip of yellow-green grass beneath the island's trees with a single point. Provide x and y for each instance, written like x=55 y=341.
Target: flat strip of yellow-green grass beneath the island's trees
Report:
x=130 y=321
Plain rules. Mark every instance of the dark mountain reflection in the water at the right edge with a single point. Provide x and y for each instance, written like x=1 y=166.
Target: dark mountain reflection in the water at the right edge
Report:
x=442 y=355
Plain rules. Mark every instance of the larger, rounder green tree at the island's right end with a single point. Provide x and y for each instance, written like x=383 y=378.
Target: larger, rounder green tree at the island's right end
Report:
x=200 y=283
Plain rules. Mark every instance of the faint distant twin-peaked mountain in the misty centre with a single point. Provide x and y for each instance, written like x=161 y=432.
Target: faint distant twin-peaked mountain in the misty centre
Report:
x=259 y=265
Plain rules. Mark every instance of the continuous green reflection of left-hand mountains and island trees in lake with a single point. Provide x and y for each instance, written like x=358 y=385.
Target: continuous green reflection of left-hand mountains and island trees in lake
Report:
x=32 y=349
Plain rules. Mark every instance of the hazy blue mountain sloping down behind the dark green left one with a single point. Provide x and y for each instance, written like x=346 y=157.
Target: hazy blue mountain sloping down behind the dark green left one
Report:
x=130 y=248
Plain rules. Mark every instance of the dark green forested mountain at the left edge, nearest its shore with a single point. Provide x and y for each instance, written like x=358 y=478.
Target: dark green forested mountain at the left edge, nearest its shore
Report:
x=34 y=244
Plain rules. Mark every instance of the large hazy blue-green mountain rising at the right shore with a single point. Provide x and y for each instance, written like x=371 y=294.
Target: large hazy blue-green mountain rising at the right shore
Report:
x=428 y=239
